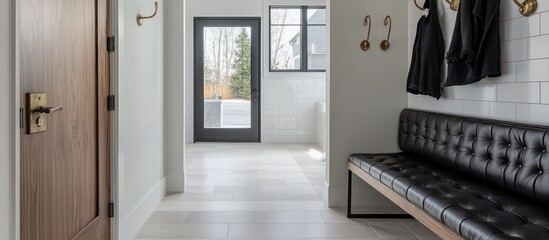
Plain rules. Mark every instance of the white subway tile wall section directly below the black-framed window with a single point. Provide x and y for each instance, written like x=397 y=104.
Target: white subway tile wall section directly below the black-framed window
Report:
x=288 y=108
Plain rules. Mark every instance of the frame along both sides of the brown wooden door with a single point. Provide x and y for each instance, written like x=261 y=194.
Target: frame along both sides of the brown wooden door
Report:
x=111 y=15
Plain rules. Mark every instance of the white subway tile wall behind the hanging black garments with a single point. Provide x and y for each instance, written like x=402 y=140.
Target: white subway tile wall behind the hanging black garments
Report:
x=521 y=94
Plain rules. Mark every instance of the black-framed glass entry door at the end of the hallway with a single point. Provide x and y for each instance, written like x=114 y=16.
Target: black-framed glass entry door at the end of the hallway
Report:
x=226 y=79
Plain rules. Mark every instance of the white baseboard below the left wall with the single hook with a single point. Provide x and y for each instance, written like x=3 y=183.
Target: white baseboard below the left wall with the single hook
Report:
x=132 y=223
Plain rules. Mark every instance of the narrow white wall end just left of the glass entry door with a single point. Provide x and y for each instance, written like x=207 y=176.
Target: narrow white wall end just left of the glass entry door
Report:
x=174 y=131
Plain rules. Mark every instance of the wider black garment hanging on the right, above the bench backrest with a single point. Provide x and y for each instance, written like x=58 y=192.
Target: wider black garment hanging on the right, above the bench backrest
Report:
x=475 y=48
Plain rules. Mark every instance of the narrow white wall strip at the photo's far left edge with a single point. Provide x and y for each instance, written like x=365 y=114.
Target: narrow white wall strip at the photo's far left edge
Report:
x=7 y=45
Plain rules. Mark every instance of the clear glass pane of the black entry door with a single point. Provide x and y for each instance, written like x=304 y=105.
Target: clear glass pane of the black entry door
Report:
x=227 y=77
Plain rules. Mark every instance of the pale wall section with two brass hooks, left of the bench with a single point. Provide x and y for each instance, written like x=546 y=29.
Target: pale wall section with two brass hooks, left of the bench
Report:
x=366 y=89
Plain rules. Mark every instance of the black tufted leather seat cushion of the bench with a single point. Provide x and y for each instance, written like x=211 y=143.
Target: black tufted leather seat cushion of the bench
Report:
x=474 y=209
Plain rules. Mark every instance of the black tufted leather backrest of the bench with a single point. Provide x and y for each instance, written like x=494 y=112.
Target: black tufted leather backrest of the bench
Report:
x=508 y=155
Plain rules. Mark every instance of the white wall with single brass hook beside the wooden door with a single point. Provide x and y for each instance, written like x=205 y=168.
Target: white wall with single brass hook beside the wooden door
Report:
x=140 y=115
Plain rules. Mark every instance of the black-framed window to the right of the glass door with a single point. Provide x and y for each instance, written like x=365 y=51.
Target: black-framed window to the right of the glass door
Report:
x=297 y=39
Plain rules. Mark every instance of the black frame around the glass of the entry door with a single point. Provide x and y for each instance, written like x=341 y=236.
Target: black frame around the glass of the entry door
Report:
x=254 y=136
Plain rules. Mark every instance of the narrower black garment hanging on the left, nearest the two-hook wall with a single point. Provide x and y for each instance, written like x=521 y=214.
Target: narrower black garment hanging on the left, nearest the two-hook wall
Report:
x=424 y=76
